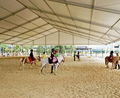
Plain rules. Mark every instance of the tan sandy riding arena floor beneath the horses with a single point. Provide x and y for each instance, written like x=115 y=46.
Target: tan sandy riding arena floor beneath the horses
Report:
x=87 y=78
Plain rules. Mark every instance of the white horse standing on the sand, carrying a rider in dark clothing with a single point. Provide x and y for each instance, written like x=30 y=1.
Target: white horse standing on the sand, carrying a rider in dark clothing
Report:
x=54 y=66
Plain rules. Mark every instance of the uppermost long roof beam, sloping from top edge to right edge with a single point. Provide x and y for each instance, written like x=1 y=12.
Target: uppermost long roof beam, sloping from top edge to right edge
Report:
x=87 y=6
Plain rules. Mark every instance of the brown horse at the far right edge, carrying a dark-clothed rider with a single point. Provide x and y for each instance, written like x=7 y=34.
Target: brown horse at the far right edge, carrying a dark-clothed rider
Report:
x=114 y=60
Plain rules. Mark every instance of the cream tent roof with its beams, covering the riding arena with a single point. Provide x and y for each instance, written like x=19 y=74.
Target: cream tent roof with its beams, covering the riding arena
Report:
x=59 y=22
